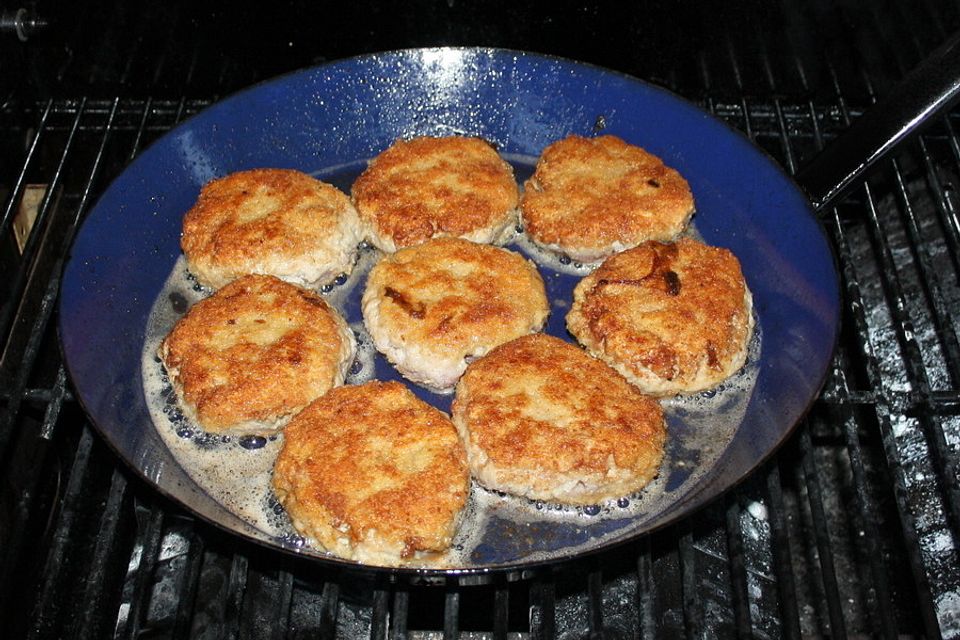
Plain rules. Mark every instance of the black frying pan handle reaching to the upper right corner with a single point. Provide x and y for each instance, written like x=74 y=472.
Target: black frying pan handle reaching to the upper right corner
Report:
x=930 y=88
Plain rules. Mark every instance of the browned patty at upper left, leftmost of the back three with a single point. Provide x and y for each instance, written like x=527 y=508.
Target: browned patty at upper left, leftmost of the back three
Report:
x=270 y=221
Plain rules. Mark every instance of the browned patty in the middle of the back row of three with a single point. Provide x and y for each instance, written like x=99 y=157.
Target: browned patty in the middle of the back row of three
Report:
x=429 y=187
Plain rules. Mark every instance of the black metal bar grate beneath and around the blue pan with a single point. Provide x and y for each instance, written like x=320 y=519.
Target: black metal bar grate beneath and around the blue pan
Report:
x=852 y=529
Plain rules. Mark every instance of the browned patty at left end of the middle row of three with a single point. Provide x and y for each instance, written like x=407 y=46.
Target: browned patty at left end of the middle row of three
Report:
x=255 y=352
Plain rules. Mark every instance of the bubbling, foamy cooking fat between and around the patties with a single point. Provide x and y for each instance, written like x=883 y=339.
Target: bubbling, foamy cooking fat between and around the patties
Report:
x=236 y=471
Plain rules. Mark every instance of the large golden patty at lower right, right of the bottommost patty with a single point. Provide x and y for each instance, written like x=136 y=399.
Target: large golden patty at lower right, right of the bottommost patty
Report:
x=542 y=419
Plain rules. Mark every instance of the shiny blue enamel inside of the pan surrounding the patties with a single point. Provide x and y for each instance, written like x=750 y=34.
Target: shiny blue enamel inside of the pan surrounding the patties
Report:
x=328 y=120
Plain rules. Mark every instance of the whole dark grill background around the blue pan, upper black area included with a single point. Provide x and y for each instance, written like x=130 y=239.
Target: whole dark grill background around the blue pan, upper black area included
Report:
x=851 y=529
